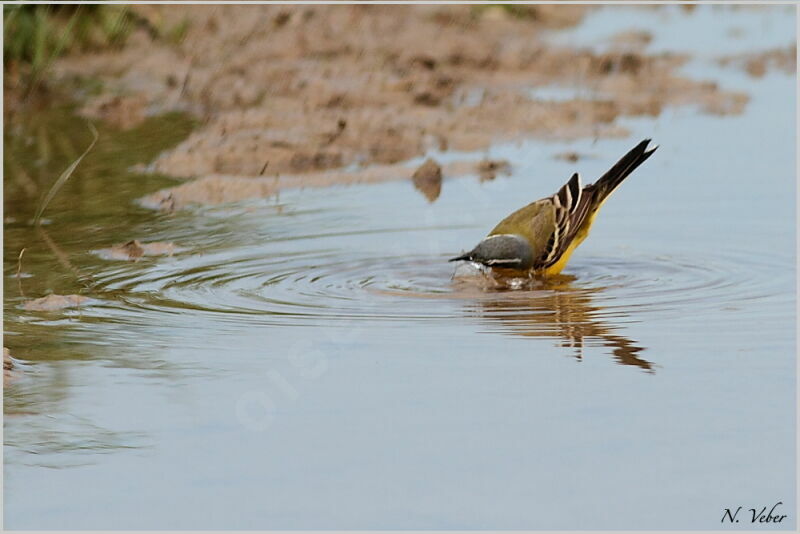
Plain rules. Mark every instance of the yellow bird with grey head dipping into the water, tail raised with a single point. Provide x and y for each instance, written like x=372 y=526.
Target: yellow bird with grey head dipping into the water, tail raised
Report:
x=540 y=237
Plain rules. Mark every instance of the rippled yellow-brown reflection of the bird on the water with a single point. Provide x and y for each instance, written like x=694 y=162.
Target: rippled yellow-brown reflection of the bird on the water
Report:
x=551 y=308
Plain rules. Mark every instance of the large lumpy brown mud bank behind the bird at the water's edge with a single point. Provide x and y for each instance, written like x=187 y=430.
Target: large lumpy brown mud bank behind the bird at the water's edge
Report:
x=302 y=90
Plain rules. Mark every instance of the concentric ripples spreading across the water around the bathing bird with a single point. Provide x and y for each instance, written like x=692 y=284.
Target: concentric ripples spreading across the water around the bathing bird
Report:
x=300 y=288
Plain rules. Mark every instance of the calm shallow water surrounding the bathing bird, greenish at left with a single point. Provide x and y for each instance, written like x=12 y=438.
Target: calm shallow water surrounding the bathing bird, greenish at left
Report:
x=309 y=361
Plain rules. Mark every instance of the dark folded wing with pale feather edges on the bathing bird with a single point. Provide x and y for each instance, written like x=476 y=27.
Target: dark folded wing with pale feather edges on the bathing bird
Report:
x=572 y=204
